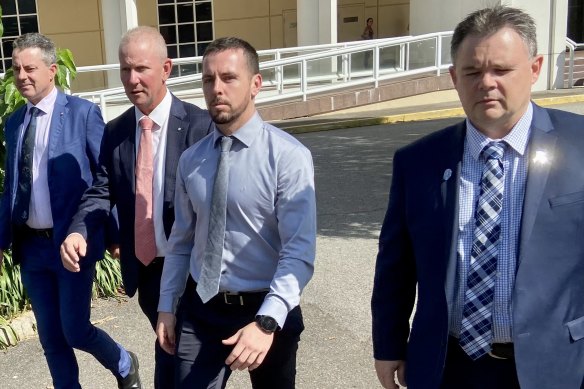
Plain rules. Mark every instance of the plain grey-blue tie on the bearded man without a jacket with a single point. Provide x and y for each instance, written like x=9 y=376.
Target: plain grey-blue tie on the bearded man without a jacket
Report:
x=208 y=284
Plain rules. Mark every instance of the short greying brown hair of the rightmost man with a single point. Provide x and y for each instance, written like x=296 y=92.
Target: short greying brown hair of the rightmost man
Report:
x=487 y=21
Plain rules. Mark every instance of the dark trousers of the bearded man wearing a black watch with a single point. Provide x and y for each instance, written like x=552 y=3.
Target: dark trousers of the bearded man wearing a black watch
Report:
x=200 y=355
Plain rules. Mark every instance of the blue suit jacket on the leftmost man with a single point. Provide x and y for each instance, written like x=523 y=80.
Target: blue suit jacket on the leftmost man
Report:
x=73 y=149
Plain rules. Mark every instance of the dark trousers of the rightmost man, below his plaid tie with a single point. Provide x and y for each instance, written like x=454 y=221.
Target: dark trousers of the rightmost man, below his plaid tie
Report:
x=461 y=372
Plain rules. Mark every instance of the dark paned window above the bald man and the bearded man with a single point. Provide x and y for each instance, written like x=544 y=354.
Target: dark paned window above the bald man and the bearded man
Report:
x=187 y=27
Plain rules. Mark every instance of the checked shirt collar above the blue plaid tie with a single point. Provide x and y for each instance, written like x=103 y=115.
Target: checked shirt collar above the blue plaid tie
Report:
x=517 y=138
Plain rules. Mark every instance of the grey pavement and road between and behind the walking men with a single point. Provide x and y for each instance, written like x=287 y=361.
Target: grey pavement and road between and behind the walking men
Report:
x=353 y=171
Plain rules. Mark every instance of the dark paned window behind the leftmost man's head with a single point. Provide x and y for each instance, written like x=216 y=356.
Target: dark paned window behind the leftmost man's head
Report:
x=18 y=17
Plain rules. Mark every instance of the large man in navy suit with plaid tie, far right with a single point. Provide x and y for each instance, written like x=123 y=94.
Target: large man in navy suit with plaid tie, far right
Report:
x=485 y=222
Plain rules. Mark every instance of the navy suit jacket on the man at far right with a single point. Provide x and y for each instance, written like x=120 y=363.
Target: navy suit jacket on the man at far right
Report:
x=418 y=241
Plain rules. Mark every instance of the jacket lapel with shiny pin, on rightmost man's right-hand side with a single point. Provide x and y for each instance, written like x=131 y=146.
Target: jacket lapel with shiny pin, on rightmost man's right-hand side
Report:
x=542 y=140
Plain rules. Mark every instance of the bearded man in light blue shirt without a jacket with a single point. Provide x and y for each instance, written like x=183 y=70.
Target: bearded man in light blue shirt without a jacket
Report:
x=268 y=250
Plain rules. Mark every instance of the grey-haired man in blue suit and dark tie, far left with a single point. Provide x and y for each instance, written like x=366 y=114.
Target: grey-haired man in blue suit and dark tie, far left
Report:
x=52 y=152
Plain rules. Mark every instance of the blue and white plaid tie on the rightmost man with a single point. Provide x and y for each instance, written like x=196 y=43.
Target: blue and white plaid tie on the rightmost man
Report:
x=476 y=333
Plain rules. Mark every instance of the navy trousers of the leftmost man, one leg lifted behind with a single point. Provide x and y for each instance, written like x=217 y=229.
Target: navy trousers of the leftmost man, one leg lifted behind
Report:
x=61 y=302
